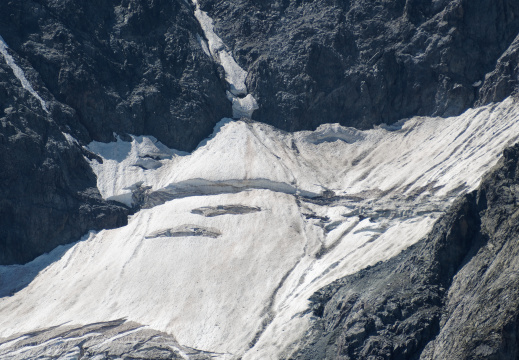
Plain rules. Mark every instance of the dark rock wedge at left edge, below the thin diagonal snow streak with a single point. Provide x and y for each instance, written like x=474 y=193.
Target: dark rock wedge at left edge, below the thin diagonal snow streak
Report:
x=48 y=193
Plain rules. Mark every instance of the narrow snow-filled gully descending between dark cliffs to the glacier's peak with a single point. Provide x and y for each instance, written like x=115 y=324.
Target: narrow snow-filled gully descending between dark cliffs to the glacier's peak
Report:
x=243 y=105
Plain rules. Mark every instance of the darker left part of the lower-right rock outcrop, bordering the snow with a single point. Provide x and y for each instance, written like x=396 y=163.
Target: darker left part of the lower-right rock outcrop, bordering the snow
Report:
x=393 y=309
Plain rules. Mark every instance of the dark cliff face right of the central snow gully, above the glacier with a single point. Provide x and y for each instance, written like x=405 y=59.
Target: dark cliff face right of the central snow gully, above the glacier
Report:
x=361 y=62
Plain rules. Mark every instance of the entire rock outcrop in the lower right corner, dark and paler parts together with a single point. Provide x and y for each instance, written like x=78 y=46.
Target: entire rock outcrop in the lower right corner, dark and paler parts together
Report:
x=451 y=296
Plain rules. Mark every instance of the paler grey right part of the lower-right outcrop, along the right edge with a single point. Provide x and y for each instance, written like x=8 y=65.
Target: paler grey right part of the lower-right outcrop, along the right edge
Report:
x=481 y=314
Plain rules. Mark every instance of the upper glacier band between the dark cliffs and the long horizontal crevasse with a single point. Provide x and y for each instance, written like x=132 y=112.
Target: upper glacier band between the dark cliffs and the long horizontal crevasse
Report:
x=421 y=159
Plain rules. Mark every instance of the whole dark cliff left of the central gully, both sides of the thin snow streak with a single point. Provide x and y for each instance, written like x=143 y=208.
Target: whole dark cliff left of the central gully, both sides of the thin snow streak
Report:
x=128 y=67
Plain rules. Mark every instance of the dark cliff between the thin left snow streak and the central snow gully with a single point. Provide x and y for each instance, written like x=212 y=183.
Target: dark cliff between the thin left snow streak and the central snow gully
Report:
x=128 y=66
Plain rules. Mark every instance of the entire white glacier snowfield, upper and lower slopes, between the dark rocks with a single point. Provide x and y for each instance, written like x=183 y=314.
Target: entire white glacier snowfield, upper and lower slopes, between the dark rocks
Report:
x=237 y=283
